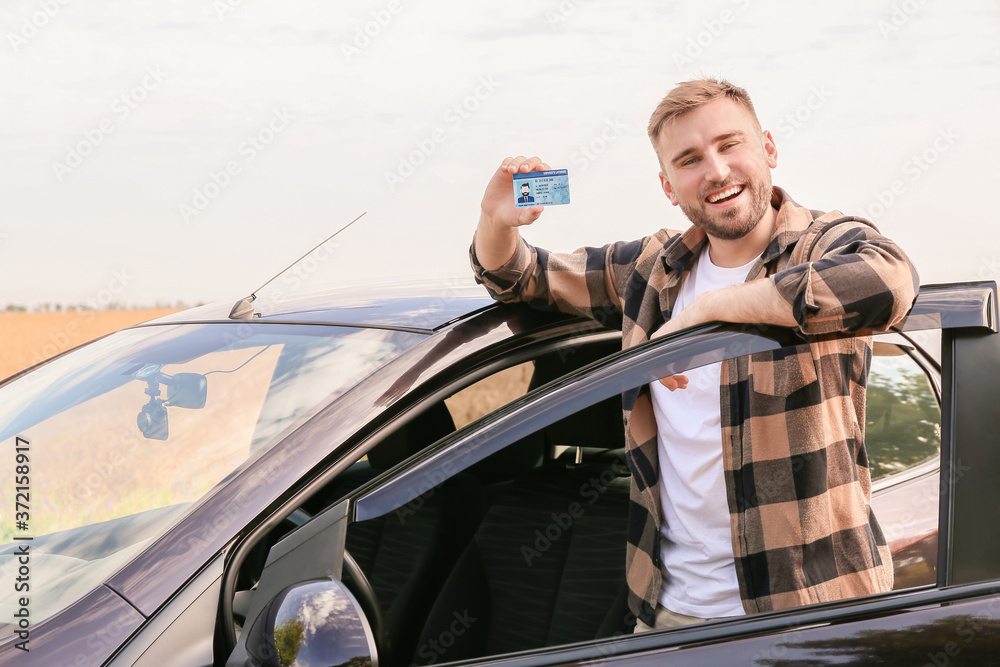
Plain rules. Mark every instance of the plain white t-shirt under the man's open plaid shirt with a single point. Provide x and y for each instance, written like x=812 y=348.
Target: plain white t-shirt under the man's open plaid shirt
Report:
x=696 y=545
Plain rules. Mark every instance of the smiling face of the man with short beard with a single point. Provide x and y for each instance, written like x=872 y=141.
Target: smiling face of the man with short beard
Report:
x=716 y=166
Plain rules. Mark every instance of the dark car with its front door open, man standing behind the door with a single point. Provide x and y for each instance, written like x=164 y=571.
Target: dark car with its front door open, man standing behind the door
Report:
x=421 y=476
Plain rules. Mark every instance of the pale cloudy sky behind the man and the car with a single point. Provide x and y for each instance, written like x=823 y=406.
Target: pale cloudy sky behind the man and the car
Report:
x=188 y=150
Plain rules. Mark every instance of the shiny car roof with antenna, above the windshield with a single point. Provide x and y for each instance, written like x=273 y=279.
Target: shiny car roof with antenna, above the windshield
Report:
x=422 y=306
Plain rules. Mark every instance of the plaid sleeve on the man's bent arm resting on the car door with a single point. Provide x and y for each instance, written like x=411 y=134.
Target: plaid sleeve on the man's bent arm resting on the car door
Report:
x=855 y=279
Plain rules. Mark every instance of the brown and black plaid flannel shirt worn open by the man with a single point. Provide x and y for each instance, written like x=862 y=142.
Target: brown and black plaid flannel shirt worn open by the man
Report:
x=793 y=420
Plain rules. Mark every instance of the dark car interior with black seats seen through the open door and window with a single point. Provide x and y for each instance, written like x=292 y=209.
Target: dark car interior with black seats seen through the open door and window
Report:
x=524 y=549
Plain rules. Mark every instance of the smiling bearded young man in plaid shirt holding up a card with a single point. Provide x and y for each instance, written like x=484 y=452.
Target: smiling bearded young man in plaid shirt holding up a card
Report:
x=750 y=485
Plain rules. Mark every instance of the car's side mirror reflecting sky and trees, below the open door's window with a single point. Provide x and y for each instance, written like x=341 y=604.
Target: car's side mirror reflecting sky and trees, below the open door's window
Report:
x=315 y=623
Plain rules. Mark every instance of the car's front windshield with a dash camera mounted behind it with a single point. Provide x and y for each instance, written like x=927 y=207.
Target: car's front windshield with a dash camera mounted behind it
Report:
x=103 y=448
